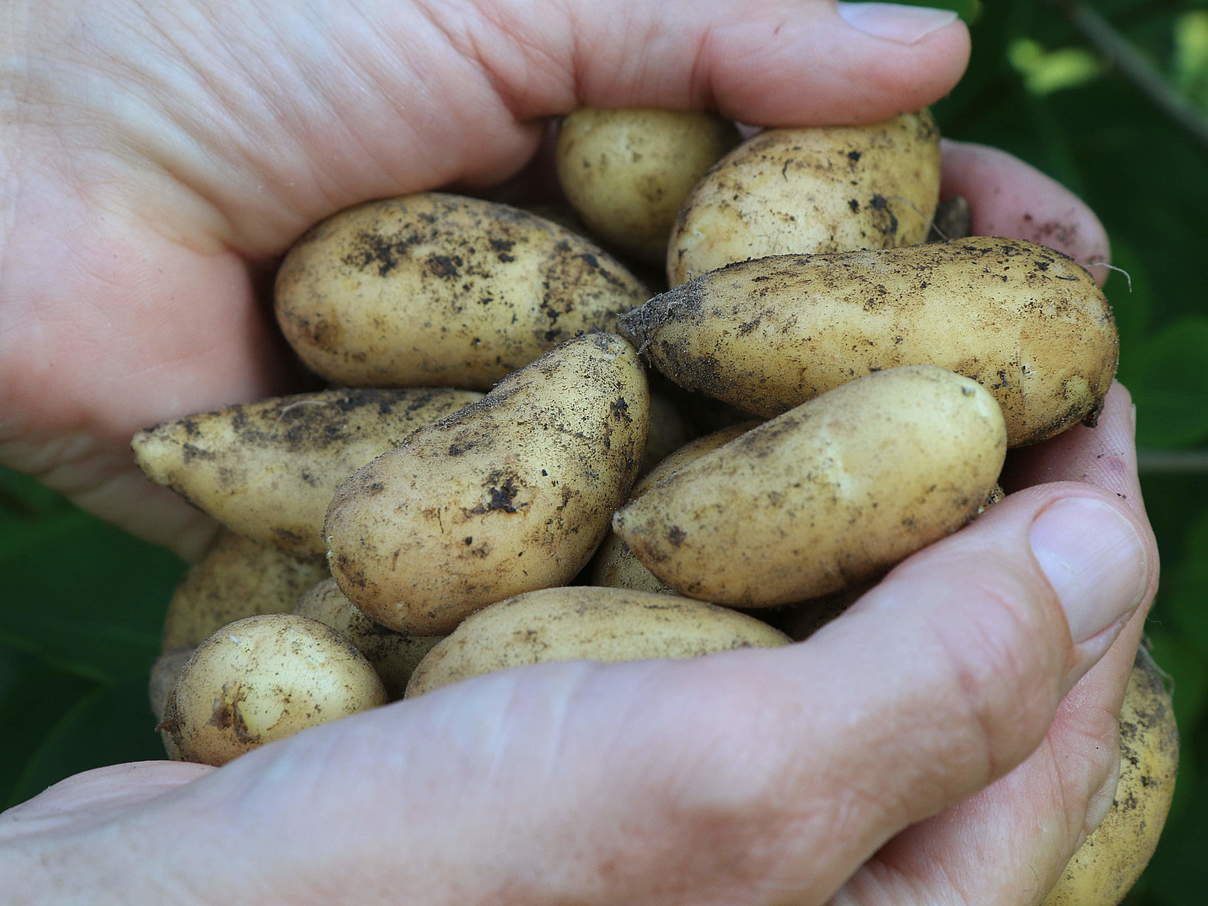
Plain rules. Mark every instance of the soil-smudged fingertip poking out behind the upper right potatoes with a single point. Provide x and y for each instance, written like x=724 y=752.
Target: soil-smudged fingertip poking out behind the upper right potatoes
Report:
x=1009 y=198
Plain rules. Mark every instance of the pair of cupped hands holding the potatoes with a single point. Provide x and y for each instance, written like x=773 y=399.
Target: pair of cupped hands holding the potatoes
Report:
x=950 y=740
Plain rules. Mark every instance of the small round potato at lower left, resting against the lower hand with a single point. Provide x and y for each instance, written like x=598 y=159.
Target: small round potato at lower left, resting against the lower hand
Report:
x=263 y=679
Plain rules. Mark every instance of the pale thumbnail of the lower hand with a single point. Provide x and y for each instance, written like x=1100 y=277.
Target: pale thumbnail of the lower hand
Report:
x=1094 y=560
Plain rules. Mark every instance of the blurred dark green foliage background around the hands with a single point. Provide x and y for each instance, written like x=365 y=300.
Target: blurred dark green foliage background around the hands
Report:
x=1111 y=98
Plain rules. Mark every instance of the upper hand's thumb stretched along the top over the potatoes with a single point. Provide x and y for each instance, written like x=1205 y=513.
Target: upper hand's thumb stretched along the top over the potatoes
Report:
x=769 y=62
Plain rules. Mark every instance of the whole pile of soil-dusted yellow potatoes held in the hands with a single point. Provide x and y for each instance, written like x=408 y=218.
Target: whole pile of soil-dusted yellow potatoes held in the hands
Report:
x=440 y=512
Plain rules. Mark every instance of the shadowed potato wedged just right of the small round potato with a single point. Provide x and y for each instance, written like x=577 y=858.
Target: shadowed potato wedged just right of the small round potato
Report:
x=394 y=655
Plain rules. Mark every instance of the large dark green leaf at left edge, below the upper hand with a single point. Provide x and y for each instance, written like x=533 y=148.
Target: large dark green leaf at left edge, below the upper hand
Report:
x=82 y=595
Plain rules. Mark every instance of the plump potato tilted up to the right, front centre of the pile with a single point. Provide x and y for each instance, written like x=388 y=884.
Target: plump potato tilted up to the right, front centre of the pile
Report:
x=508 y=496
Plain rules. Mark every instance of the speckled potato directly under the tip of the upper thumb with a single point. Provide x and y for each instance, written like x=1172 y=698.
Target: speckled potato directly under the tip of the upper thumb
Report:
x=809 y=191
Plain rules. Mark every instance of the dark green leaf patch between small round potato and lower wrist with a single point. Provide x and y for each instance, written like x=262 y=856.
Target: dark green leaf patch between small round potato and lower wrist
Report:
x=112 y=725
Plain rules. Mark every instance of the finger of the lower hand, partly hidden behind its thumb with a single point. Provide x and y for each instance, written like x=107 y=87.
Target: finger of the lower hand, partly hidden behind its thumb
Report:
x=1037 y=816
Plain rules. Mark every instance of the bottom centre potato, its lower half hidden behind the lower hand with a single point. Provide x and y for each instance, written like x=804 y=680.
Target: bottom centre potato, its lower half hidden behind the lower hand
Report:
x=586 y=624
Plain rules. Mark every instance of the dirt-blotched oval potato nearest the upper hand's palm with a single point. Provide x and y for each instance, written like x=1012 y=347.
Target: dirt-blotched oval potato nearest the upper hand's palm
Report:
x=435 y=289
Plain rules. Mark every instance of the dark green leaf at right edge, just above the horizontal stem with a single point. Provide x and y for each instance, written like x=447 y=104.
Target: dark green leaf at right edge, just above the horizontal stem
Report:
x=1169 y=379
